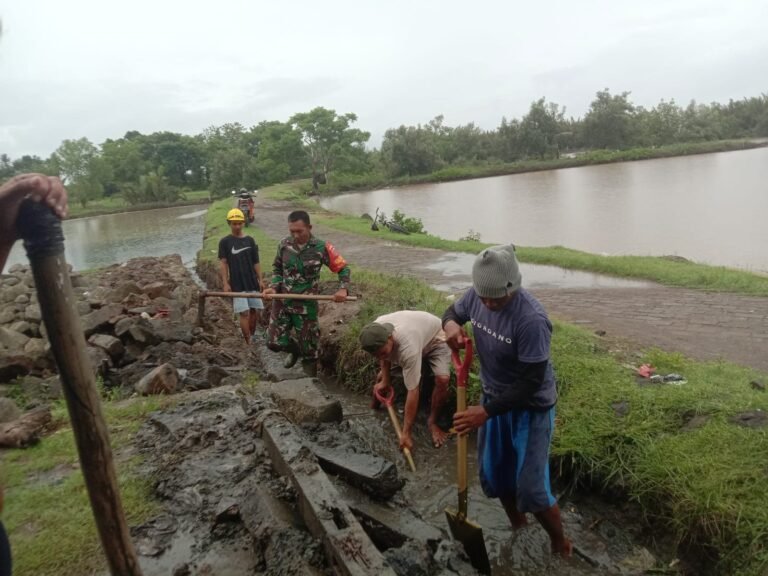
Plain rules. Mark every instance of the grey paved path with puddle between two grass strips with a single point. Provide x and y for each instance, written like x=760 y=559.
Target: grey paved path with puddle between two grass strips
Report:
x=702 y=325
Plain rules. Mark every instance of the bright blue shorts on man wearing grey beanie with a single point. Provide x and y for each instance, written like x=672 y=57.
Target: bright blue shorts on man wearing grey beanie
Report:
x=513 y=458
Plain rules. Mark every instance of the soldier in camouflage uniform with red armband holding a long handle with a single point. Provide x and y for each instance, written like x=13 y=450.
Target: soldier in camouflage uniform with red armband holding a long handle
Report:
x=293 y=324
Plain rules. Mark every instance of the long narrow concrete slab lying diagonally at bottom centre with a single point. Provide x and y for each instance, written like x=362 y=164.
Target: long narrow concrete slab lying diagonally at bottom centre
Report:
x=327 y=517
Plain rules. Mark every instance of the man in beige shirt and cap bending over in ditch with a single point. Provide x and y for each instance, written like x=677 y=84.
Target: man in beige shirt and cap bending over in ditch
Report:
x=405 y=339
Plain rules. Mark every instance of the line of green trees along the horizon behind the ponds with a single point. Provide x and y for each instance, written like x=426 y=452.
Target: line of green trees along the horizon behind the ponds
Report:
x=159 y=167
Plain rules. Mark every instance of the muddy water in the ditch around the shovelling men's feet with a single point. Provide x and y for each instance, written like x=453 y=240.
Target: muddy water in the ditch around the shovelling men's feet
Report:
x=607 y=540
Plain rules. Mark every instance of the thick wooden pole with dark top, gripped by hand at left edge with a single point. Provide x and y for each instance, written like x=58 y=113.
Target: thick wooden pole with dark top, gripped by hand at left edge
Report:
x=44 y=242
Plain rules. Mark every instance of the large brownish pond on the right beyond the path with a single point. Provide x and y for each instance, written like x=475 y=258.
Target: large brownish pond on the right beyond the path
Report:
x=709 y=208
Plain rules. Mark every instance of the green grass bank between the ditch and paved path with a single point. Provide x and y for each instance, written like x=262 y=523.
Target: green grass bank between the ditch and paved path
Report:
x=703 y=478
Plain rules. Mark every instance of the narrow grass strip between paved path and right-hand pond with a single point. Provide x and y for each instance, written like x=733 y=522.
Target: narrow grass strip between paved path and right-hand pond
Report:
x=667 y=271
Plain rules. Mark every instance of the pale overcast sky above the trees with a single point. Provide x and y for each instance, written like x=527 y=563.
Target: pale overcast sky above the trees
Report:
x=99 y=68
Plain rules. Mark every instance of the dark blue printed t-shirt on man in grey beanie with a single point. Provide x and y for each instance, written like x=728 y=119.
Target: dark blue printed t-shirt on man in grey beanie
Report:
x=519 y=332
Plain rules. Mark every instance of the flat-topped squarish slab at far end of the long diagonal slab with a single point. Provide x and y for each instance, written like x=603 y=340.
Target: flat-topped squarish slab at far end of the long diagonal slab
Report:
x=303 y=402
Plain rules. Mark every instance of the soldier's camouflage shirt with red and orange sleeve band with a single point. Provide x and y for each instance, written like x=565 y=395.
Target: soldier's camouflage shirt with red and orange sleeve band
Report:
x=297 y=271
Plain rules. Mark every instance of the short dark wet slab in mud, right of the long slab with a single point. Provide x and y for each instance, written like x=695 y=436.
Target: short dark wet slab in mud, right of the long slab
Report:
x=373 y=474
